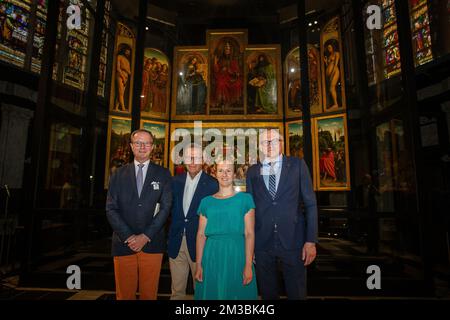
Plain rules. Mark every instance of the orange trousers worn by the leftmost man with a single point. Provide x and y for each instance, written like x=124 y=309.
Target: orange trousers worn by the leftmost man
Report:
x=137 y=271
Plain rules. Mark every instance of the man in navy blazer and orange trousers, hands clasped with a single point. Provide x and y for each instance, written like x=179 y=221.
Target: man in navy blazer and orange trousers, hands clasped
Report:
x=137 y=207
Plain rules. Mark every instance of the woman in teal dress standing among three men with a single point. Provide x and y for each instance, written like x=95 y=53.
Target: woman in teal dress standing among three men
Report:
x=225 y=243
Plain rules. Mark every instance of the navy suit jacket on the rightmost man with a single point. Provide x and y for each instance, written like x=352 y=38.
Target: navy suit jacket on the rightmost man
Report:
x=294 y=209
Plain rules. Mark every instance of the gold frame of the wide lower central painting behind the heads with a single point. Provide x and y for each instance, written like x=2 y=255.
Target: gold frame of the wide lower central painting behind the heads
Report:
x=219 y=125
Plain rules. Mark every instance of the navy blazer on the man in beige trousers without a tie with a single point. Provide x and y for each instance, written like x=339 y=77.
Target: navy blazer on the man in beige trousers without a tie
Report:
x=207 y=186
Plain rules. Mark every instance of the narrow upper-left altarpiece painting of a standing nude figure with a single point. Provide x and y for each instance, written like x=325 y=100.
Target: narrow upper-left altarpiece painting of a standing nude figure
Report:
x=122 y=79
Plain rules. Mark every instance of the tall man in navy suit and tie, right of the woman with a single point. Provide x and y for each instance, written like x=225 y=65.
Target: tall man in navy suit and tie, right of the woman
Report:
x=285 y=218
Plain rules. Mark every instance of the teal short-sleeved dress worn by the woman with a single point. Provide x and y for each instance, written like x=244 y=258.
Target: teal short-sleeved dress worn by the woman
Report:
x=223 y=258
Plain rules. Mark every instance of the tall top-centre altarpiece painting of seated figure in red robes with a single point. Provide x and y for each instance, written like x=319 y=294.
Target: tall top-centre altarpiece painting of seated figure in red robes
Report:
x=226 y=61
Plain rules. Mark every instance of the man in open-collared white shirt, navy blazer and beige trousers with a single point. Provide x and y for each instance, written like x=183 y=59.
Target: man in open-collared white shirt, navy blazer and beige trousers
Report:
x=188 y=190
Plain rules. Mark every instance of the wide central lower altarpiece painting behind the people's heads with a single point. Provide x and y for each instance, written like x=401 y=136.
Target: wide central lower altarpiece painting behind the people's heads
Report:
x=240 y=139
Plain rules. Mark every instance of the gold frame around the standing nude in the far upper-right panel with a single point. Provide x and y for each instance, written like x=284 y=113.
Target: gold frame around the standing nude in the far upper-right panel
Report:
x=336 y=34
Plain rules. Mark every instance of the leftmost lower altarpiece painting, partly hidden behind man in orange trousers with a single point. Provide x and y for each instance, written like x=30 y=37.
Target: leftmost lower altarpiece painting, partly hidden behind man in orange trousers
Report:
x=118 y=150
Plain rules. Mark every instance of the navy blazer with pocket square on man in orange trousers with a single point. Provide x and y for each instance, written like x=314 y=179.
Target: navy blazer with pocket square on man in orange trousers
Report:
x=130 y=214
